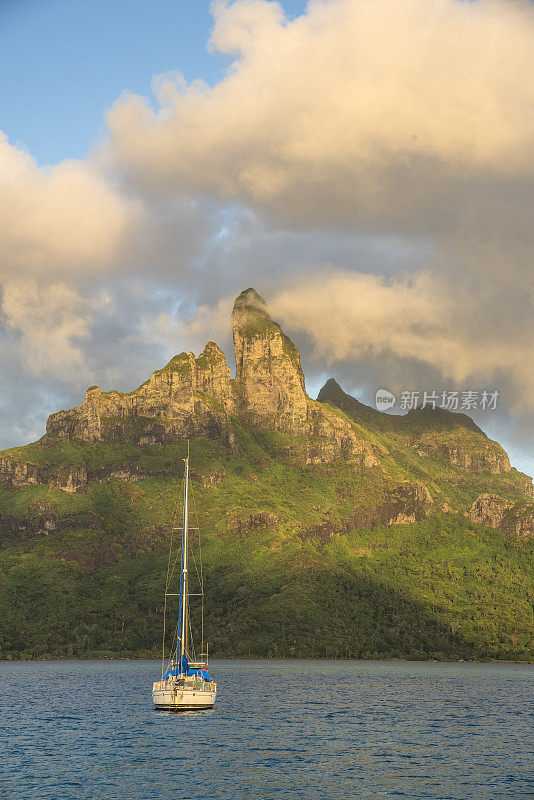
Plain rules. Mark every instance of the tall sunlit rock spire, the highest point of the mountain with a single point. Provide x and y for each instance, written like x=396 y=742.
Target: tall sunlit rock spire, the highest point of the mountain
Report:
x=269 y=377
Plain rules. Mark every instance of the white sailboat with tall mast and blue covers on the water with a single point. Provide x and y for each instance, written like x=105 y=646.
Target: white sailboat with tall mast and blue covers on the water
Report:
x=186 y=684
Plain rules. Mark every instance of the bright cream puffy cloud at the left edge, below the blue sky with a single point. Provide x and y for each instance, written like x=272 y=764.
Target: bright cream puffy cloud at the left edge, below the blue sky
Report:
x=57 y=220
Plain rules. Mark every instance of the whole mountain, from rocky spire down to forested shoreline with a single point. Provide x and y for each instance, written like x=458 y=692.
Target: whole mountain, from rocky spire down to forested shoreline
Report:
x=328 y=528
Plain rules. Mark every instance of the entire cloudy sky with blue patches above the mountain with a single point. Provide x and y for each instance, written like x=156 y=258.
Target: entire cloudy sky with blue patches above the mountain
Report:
x=367 y=166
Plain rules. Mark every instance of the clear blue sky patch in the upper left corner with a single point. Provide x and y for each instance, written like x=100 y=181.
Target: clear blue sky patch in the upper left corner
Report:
x=63 y=62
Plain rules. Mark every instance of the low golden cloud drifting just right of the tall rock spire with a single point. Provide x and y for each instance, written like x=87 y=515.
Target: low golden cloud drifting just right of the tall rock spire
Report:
x=419 y=318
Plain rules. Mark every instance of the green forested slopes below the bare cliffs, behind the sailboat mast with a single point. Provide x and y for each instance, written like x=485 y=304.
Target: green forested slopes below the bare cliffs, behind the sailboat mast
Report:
x=285 y=573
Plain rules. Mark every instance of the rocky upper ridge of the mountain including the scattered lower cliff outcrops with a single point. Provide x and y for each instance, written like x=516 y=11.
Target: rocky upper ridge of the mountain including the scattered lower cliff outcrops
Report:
x=197 y=396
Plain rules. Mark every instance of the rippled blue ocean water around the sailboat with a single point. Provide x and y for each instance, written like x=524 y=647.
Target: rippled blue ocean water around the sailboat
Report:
x=323 y=730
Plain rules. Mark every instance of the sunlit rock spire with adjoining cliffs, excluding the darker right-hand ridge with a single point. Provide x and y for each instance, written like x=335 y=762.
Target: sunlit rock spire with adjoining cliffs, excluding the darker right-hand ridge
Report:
x=189 y=396
